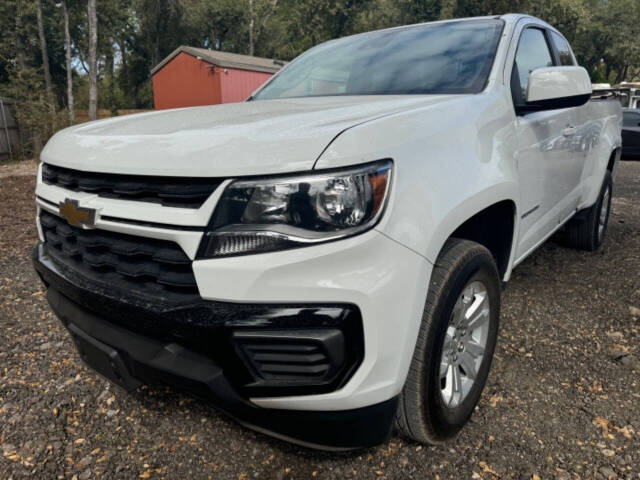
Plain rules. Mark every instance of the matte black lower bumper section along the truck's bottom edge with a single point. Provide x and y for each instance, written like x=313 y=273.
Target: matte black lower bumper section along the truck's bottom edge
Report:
x=129 y=359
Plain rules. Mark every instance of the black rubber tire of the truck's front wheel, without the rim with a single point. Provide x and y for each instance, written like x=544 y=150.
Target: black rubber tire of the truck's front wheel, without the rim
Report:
x=422 y=413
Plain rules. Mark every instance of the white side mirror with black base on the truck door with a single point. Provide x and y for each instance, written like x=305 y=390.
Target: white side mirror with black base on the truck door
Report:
x=552 y=88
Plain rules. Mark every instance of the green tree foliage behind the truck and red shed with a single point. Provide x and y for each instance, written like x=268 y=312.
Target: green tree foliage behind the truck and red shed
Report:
x=134 y=35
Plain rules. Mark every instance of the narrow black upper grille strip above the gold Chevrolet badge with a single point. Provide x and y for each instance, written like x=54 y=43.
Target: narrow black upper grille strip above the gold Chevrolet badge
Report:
x=185 y=192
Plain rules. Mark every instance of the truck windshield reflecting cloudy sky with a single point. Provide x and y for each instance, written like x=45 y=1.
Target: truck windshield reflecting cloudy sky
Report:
x=451 y=57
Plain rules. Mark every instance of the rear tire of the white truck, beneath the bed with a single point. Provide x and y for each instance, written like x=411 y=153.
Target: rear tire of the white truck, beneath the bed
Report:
x=583 y=231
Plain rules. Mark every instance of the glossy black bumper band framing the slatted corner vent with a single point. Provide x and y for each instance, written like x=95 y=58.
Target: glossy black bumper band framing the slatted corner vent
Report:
x=207 y=327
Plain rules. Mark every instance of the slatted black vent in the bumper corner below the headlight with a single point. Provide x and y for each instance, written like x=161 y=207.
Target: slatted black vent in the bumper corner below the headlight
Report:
x=292 y=357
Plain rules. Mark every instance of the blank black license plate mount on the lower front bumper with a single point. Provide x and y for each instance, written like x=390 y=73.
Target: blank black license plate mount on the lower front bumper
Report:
x=103 y=359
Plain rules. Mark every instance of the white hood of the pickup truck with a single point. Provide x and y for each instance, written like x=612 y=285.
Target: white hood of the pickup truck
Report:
x=250 y=138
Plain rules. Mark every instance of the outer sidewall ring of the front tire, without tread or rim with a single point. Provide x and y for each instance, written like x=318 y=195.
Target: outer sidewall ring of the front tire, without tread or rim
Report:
x=448 y=421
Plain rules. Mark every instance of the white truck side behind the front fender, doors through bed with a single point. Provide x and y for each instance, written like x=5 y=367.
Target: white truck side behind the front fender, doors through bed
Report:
x=561 y=157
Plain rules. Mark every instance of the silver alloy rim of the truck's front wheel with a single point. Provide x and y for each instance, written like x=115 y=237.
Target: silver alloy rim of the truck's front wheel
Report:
x=464 y=344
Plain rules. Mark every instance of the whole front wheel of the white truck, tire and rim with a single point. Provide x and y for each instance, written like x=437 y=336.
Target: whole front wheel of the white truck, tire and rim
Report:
x=455 y=344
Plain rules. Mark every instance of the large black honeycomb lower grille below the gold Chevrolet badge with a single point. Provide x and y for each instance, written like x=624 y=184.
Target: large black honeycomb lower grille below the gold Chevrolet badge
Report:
x=149 y=266
